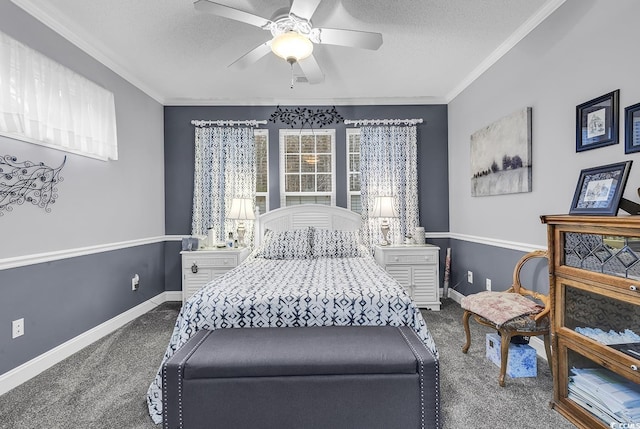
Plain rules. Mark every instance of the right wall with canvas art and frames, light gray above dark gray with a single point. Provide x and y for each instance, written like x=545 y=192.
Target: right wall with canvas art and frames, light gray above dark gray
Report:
x=583 y=50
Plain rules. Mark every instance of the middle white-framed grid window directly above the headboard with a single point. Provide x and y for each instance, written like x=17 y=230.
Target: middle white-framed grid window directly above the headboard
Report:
x=307 y=164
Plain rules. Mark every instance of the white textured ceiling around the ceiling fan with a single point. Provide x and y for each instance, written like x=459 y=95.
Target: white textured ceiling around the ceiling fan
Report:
x=431 y=49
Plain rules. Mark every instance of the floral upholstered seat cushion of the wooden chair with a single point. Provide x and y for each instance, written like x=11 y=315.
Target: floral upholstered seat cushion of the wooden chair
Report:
x=500 y=307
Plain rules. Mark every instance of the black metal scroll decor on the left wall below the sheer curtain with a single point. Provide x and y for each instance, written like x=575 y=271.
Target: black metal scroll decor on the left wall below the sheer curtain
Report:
x=28 y=182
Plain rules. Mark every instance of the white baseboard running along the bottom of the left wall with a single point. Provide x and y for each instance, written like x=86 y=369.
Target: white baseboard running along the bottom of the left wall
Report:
x=35 y=366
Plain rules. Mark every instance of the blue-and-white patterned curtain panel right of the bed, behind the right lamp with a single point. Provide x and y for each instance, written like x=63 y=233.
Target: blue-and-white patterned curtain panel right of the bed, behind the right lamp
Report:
x=388 y=167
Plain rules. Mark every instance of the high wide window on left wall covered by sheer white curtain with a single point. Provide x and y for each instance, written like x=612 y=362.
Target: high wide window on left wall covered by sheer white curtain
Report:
x=44 y=103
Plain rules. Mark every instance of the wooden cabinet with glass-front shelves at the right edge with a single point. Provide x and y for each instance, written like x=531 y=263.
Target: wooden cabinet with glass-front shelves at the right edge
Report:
x=594 y=274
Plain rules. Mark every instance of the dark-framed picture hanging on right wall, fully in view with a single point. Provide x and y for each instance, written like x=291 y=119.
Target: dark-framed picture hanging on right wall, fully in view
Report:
x=597 y=122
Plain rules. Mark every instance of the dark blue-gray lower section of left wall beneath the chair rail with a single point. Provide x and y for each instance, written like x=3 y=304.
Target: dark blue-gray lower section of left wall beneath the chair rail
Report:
x=60 y=300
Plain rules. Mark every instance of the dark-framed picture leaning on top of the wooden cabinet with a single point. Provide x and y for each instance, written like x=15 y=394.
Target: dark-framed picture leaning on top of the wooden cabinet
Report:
x=599 y=189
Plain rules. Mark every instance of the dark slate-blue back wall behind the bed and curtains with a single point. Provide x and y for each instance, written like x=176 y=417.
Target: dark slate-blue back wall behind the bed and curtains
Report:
x=179 y=155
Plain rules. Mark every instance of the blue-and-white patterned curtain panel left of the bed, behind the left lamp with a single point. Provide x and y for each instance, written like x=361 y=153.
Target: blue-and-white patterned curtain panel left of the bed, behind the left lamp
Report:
x=225 y=168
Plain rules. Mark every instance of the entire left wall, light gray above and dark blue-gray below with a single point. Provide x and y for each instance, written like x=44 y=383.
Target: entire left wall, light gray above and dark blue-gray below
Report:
x=99 y=203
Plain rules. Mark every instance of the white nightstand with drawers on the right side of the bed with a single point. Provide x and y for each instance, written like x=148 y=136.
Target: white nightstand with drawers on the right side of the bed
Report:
x=416 y=268
